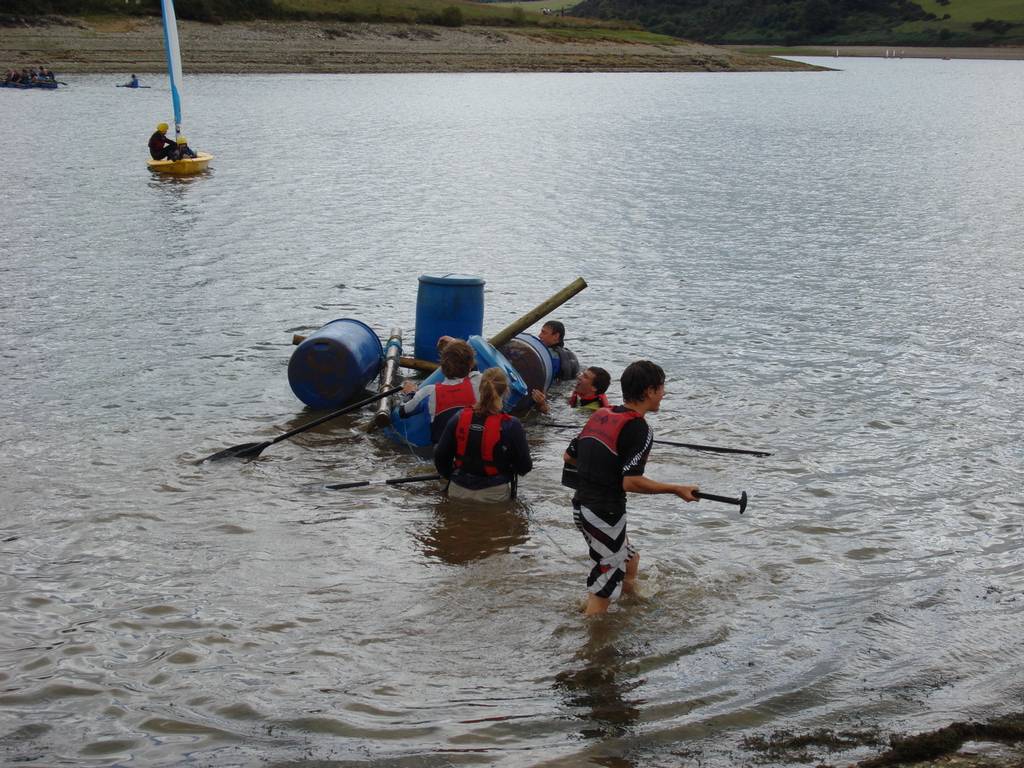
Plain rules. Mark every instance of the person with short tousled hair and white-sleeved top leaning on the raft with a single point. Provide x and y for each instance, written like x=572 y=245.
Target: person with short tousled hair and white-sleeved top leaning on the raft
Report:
x=460 y=389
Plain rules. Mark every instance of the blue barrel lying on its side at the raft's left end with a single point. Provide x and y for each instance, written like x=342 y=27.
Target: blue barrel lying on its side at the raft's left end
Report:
x=335 y=363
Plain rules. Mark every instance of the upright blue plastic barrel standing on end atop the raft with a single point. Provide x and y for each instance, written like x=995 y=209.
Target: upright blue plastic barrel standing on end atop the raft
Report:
x=447 y=306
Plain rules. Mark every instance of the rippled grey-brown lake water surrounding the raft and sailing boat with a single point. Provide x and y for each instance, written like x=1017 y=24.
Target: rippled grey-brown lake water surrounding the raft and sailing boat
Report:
x=827 y=265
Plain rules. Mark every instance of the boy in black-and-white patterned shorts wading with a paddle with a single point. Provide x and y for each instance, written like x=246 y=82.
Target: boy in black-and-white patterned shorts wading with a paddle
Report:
x=610 y=456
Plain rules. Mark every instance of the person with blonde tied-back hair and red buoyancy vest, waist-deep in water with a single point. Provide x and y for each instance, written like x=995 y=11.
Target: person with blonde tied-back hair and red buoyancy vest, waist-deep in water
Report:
x=483 y=451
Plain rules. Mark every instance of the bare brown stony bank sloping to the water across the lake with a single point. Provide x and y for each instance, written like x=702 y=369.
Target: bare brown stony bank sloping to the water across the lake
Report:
x=136 y=46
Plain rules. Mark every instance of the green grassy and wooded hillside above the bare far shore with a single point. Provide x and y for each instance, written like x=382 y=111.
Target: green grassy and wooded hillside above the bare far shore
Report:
x=929 y=23
